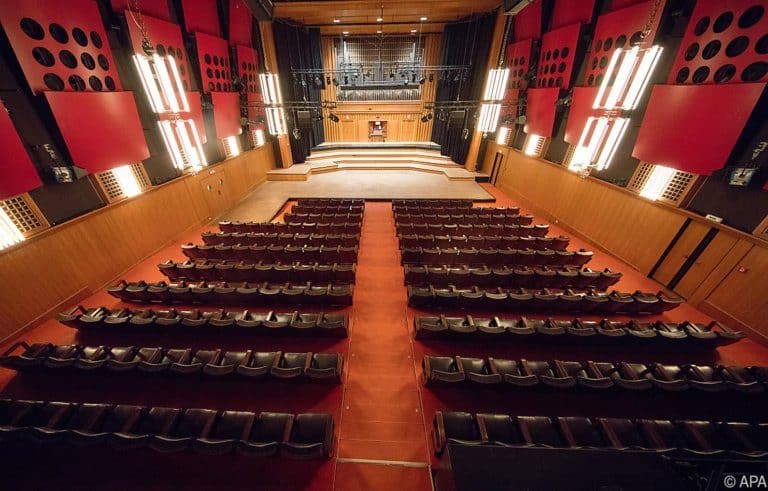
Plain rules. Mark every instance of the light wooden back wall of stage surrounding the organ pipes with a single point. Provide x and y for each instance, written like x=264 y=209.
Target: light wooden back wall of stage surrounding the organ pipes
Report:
x=403 y=117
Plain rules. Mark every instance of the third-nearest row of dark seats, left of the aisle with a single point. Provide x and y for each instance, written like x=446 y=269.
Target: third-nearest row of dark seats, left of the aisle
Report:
x=170 y=320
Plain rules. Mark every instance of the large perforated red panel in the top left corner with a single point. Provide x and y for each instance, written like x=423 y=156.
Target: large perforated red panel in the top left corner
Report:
x=60 y=47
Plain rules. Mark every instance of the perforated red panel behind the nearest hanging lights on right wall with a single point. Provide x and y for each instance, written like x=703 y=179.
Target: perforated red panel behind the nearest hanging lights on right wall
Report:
x=617 y=29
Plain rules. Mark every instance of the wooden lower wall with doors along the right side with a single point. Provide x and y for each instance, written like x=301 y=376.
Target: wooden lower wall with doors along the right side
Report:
x=727 y=280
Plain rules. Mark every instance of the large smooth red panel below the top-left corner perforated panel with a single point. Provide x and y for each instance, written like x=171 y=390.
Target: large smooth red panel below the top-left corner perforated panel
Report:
x=101 y=130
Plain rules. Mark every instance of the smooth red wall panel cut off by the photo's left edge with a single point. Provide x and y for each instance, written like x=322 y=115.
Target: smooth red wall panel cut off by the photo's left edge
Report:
x=18 y=174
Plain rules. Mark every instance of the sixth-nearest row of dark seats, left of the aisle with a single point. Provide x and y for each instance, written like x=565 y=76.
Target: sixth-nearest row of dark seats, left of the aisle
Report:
x=272 y=253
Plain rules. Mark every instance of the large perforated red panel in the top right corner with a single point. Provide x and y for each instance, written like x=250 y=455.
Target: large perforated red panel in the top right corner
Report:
x=725 y=42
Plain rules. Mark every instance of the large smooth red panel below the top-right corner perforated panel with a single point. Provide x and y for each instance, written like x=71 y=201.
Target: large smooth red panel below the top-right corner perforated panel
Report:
x=694 y=128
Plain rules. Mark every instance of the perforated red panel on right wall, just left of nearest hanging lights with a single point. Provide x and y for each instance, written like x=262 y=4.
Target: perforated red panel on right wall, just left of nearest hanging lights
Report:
x=558 y=49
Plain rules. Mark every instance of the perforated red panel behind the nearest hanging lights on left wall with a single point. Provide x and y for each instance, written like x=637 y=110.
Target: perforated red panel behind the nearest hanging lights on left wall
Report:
x=166 y=38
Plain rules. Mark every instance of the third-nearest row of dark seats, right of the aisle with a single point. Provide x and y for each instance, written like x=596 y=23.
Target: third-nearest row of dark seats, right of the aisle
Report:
x=574 y=331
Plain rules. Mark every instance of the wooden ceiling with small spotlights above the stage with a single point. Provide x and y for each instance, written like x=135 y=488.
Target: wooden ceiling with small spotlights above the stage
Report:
x=400 y=16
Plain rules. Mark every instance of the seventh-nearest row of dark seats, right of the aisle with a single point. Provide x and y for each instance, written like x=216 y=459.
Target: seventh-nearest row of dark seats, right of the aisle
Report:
x=484 y=242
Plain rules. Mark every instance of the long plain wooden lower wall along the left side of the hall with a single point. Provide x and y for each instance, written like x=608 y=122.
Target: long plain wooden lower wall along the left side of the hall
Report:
x=55 y=269
